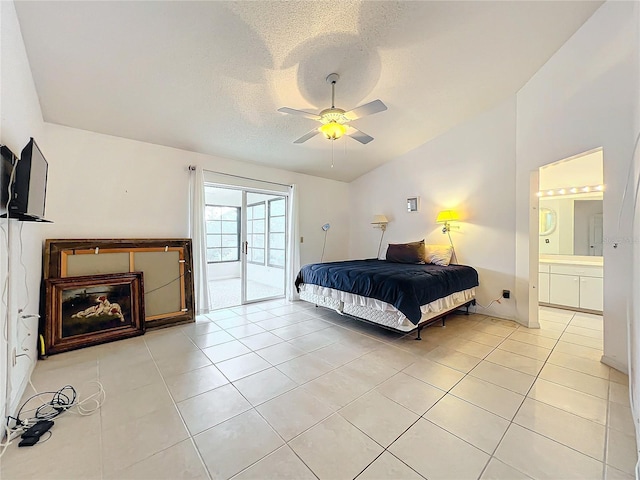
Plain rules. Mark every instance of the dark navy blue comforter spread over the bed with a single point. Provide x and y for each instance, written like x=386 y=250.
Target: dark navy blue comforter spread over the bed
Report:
x=405 y=286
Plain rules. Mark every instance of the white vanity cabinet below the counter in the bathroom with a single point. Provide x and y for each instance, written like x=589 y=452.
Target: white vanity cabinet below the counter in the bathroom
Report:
x=571 y=285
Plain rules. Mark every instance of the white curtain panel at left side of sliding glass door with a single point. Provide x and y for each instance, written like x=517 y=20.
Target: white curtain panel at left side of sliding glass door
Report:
x=199 y=240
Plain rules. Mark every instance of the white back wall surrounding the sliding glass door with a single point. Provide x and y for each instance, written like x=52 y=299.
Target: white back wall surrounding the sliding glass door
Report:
x=104 y=186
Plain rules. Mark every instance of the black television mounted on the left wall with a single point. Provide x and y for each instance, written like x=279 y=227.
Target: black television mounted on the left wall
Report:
x=27 y=189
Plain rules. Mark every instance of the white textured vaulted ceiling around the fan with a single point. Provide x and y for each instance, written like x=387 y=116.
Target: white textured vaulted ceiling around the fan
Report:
x=209 y=76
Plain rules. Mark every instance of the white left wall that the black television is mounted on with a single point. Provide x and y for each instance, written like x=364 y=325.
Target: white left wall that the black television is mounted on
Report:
x=20 y=119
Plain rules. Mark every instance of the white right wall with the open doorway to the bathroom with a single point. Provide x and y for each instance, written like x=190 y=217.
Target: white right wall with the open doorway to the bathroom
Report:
x=579 y=100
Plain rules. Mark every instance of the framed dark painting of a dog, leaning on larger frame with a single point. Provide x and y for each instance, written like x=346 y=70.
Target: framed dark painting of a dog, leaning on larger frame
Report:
x=88 y=310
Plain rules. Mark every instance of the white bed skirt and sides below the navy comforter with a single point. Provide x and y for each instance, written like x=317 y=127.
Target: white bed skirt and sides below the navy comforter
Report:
x=378 y=311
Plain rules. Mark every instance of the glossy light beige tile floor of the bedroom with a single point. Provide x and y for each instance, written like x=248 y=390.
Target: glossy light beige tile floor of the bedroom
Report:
x=279 y=390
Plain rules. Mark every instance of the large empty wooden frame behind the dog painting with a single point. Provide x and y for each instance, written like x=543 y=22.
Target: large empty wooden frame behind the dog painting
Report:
x=167 y=264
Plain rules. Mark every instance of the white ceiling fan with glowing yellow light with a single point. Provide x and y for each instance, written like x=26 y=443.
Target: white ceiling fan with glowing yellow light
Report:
x=335 y=121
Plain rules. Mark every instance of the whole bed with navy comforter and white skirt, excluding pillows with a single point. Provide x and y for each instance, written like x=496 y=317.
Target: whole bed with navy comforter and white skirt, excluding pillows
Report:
x=397 y=296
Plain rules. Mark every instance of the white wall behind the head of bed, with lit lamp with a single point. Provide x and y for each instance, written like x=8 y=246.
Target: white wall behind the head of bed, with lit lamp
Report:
x=471 y=169
